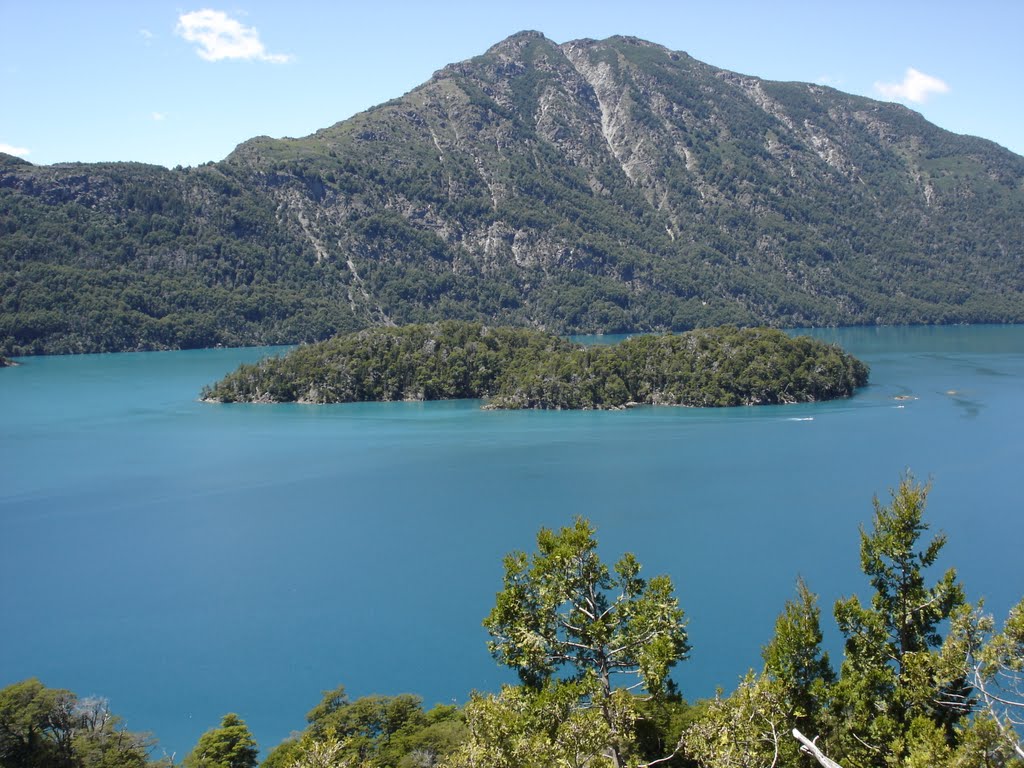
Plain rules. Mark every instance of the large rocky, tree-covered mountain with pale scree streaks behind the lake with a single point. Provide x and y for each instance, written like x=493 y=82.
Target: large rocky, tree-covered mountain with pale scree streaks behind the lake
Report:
x=594 y=186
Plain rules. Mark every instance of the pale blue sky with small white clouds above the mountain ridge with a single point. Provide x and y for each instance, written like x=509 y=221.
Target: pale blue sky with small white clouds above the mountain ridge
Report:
x=183 y=82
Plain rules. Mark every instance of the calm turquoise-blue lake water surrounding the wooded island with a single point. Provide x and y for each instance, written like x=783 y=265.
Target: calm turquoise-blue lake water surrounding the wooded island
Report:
x=187 y=561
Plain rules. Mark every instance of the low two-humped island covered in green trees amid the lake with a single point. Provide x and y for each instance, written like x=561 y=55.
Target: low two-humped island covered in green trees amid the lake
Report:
x=516 y=368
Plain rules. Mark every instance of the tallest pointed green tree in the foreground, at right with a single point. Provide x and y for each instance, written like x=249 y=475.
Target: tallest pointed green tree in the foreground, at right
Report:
x=890 y=673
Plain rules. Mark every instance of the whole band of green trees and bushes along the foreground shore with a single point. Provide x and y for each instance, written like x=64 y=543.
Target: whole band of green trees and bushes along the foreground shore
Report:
x=926 y=681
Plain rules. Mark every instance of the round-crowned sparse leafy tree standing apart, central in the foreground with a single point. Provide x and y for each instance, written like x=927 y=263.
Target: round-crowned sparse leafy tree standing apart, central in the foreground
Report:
x=564 y=612
